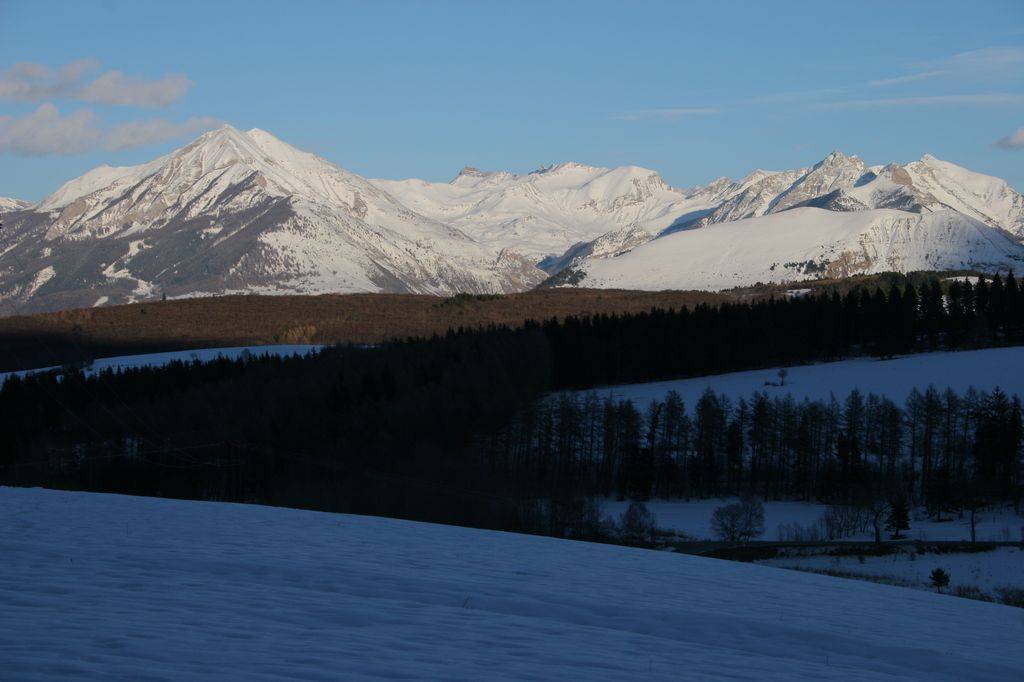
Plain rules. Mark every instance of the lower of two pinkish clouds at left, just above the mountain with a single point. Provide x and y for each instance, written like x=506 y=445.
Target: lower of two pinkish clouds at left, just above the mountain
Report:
x=47 y=132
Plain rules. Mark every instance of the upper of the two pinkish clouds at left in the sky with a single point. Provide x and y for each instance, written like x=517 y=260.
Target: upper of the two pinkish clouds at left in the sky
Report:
x=29 y=81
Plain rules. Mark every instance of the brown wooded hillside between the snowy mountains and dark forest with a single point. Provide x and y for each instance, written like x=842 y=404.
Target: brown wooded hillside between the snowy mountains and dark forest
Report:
x=57 y=338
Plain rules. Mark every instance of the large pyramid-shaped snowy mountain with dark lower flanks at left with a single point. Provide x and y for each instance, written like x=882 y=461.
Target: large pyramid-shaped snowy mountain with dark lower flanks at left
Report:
x=237 y=211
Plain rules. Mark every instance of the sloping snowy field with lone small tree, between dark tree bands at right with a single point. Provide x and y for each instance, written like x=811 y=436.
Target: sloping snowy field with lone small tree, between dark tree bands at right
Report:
x=985 y=370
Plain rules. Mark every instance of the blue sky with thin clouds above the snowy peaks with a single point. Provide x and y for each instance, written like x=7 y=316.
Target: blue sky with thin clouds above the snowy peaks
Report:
x=399 y=90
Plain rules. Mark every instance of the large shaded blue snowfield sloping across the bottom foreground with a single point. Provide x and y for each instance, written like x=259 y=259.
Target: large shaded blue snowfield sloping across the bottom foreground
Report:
x=102 y=587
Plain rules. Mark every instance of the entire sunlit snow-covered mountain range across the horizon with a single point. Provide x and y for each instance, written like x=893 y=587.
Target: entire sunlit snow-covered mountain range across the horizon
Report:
x=240 y=211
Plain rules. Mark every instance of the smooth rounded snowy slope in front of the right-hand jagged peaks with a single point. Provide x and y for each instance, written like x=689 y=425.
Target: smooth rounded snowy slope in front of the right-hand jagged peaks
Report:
x=806 y=243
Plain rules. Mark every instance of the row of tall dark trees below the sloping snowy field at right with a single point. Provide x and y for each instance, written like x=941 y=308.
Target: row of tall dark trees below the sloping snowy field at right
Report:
x=947 y=451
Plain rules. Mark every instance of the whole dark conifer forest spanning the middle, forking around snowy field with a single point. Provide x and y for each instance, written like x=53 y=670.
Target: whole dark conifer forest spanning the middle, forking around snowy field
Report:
x=488 y=428
